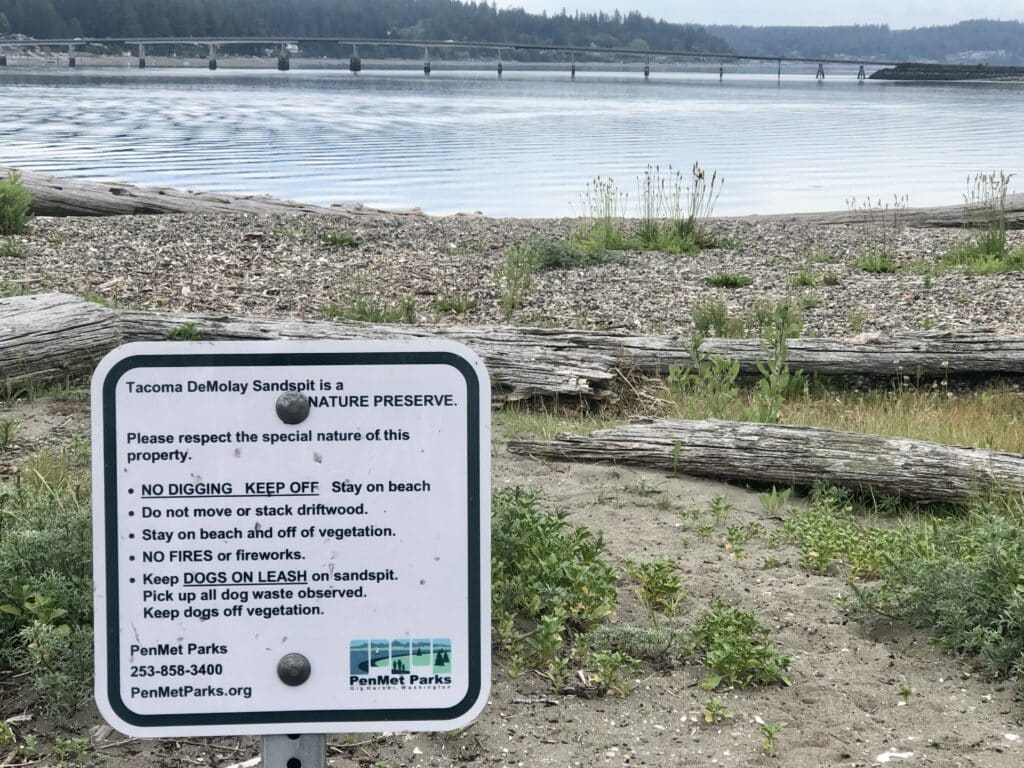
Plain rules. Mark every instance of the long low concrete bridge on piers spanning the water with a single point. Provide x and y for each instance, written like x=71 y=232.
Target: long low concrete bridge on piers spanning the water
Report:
x=285 y=47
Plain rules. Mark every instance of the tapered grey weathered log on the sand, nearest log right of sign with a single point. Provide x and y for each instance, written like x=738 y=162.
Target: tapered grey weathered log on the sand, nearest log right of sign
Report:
x=795 y=456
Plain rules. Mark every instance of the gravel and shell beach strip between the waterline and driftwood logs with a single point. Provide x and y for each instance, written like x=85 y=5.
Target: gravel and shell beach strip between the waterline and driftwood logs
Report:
x=280 y=267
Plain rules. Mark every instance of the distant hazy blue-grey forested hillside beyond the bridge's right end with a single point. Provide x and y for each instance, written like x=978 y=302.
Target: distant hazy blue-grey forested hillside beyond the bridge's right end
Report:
x=977 y=40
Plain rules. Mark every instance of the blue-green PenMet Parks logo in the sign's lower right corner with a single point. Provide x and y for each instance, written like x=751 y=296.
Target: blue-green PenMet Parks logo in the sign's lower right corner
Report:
x=403 y=664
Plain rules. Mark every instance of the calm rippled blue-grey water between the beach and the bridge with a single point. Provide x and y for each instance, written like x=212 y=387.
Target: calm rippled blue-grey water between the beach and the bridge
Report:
x=523 y=146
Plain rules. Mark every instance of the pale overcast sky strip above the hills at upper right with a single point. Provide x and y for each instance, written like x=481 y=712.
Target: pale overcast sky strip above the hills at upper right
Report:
x=898 y=14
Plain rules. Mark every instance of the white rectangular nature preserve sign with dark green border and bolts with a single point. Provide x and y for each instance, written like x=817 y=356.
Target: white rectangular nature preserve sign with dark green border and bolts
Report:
x=291 y=537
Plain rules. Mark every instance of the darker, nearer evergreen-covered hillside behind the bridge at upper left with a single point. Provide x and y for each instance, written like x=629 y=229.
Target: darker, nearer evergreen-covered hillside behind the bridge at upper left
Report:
x=424 y=20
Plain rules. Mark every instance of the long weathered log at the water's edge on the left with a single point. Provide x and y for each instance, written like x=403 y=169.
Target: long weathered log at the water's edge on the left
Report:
x=62 y=197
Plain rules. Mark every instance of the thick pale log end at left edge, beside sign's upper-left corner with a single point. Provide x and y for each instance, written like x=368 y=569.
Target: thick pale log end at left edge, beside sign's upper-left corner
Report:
x=51 y=338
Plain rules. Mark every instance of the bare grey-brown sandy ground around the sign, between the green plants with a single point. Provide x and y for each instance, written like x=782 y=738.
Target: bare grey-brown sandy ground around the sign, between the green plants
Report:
x=843 y=709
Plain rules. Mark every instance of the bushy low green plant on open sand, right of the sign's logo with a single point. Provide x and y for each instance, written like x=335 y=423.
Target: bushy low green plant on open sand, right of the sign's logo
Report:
x=737 y=650
